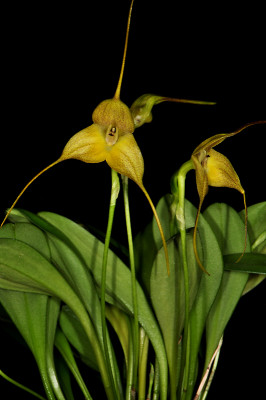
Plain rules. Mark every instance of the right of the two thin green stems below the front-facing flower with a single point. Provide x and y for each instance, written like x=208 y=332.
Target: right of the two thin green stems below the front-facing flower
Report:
x=133 y=280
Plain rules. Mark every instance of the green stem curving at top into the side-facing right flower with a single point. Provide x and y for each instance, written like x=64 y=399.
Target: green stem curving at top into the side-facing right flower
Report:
x=178 y=189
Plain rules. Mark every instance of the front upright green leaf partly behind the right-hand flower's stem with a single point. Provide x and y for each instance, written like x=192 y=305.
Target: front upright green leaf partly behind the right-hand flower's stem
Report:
x=168 y=298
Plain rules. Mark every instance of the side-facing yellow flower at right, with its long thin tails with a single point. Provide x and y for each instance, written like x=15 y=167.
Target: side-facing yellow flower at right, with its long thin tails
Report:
x=214 y=169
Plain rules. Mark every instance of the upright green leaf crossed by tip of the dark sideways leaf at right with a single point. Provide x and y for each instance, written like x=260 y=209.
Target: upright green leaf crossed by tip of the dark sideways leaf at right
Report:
x=230 y=233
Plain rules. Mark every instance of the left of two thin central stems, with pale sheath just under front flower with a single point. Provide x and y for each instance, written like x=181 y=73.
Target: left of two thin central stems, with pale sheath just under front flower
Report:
x=114 y=194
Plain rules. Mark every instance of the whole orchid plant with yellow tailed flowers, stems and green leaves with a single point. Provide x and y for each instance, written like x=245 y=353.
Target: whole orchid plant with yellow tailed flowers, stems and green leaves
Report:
x=168 y=301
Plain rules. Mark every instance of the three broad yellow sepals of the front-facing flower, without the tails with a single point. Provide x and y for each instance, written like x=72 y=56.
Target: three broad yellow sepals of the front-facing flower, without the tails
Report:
x=110 y=138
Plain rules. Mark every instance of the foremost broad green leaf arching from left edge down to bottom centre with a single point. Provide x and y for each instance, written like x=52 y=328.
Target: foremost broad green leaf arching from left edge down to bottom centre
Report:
x=21 y=263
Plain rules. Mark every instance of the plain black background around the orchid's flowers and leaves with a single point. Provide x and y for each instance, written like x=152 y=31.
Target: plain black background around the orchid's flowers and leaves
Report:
x=59 y=61
